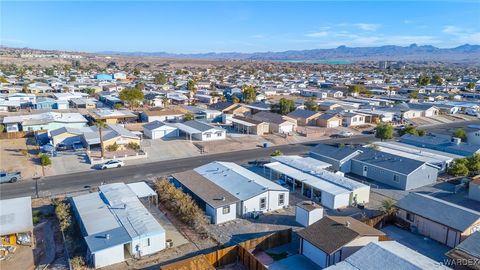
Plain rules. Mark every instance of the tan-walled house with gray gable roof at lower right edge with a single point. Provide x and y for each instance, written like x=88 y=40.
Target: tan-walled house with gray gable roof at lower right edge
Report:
x=443 y=221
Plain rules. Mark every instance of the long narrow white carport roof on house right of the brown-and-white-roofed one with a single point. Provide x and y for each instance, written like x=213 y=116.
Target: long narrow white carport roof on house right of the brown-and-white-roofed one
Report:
x=309 y=179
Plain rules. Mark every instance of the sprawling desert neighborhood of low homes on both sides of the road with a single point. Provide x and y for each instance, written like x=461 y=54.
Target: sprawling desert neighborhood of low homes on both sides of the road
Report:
x=411 y=201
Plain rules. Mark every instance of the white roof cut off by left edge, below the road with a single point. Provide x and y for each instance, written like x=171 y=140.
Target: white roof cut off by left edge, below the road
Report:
x=16 y=215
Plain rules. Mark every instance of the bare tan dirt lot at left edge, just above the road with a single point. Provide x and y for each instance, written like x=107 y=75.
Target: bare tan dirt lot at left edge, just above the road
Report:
x=12 y=158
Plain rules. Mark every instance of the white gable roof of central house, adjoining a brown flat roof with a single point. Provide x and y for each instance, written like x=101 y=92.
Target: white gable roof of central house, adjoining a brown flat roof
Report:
x=238 y=181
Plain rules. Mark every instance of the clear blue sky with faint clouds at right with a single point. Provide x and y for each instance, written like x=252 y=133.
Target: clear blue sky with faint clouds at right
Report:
x=224 y=26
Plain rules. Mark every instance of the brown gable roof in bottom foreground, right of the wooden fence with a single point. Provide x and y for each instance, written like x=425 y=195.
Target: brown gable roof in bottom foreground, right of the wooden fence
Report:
x=331 y=233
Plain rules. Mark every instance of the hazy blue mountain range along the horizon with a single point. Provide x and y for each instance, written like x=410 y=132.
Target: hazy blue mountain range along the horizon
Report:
x=465 y=53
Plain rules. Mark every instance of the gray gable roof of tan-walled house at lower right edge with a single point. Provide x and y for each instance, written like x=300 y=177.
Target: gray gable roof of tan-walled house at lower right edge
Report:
x=440 y=211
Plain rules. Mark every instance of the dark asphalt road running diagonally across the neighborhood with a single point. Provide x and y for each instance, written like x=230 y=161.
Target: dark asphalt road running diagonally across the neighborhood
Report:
x=68 y=183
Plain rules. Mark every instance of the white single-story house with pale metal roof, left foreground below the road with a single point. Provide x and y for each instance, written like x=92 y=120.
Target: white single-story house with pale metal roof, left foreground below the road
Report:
x=116 y=225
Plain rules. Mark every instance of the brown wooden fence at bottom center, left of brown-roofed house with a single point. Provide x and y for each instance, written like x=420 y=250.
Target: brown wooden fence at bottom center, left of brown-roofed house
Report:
x=238 y=253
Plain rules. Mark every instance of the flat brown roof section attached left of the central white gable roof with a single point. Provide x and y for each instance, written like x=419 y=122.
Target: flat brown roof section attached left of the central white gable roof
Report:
x=206 y=190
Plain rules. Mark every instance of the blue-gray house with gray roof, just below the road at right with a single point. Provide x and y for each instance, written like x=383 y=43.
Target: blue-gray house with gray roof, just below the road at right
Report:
x=393 y=170
